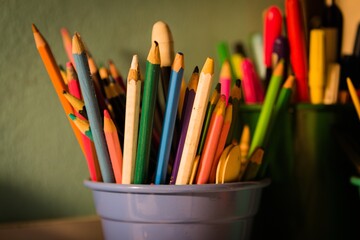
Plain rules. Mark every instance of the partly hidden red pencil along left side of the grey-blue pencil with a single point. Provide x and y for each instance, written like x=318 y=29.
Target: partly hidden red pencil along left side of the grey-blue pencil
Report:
x=89 y=148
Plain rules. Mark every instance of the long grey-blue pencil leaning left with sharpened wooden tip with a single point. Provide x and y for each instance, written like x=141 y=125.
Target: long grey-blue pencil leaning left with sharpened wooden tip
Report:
x=92 y=107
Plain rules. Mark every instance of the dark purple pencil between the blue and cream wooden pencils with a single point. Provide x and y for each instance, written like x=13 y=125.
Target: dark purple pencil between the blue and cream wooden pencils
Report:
x=186 y=113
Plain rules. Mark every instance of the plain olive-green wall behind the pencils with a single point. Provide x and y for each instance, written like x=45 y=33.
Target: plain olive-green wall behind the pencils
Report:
x=42 y=167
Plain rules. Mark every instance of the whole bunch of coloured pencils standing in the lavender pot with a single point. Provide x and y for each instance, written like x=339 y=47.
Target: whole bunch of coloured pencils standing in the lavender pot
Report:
x=160 y=129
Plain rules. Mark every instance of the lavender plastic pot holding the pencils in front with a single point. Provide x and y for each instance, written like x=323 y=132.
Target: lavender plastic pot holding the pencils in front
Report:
x=208 y=211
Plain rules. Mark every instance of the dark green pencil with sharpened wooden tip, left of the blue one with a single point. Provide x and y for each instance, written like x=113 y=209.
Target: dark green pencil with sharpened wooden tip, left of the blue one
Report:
x=147 y=114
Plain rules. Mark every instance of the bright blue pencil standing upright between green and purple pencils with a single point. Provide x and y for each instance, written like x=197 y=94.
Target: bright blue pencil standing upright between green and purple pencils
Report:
x=169 y=118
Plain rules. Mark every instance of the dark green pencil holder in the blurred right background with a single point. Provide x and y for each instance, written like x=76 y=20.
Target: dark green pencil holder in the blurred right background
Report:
x=310 y=196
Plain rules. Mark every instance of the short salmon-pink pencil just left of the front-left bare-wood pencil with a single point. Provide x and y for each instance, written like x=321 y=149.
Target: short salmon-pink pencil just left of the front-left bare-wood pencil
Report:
x=113 y=144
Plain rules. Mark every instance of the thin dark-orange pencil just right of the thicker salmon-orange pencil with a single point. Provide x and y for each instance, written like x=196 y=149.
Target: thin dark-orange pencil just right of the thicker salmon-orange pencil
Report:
x=222 y=140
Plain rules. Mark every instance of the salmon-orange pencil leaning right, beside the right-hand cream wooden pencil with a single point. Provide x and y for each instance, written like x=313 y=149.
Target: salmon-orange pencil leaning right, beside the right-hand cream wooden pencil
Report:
x=212 y=139
